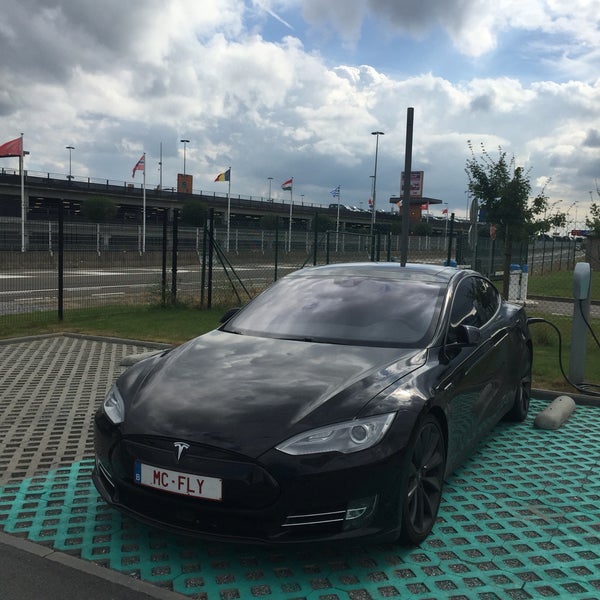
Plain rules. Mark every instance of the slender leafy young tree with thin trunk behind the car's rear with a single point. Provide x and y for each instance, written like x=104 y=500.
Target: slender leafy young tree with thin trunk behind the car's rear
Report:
x=503 y=192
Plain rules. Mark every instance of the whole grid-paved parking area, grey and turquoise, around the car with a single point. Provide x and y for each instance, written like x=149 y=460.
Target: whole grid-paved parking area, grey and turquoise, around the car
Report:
x=520 y=519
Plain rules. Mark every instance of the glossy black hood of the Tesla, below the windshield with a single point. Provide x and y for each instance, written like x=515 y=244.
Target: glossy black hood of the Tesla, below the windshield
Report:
x=246 y=394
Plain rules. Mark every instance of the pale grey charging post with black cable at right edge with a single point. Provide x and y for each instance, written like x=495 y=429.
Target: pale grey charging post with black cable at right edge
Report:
x=582 y=276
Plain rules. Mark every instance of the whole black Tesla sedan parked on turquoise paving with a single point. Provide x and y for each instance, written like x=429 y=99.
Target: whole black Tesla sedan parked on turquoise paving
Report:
x=332 y=406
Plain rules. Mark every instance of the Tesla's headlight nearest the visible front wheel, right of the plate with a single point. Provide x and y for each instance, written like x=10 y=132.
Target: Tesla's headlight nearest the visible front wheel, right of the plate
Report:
x=351 y=436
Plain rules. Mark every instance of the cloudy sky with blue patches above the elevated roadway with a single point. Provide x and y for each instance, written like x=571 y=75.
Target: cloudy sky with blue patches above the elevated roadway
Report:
x=294 y=88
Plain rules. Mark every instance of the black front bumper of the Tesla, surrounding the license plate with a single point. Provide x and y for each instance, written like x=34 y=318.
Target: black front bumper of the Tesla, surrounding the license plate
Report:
x=295 y=499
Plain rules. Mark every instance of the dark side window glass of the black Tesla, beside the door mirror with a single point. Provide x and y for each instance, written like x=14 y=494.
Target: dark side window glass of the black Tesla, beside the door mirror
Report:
x=475 y=303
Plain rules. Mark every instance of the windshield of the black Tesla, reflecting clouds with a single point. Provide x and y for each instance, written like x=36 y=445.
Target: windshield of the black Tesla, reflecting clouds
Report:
x=357 y=310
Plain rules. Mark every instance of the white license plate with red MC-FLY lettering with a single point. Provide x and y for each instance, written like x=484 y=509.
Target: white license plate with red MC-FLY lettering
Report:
x=185 y=484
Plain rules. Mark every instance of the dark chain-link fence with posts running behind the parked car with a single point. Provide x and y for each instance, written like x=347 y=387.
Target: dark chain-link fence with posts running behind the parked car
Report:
x=68 y=266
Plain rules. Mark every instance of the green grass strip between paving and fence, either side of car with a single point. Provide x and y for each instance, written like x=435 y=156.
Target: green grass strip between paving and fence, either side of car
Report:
x=176 y=325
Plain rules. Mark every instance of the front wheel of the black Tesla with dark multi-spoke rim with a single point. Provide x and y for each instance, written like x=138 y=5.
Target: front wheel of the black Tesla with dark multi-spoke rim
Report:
x=423 y=481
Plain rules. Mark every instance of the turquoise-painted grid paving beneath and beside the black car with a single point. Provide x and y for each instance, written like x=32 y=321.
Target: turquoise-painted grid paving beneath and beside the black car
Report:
x=519 y=520
